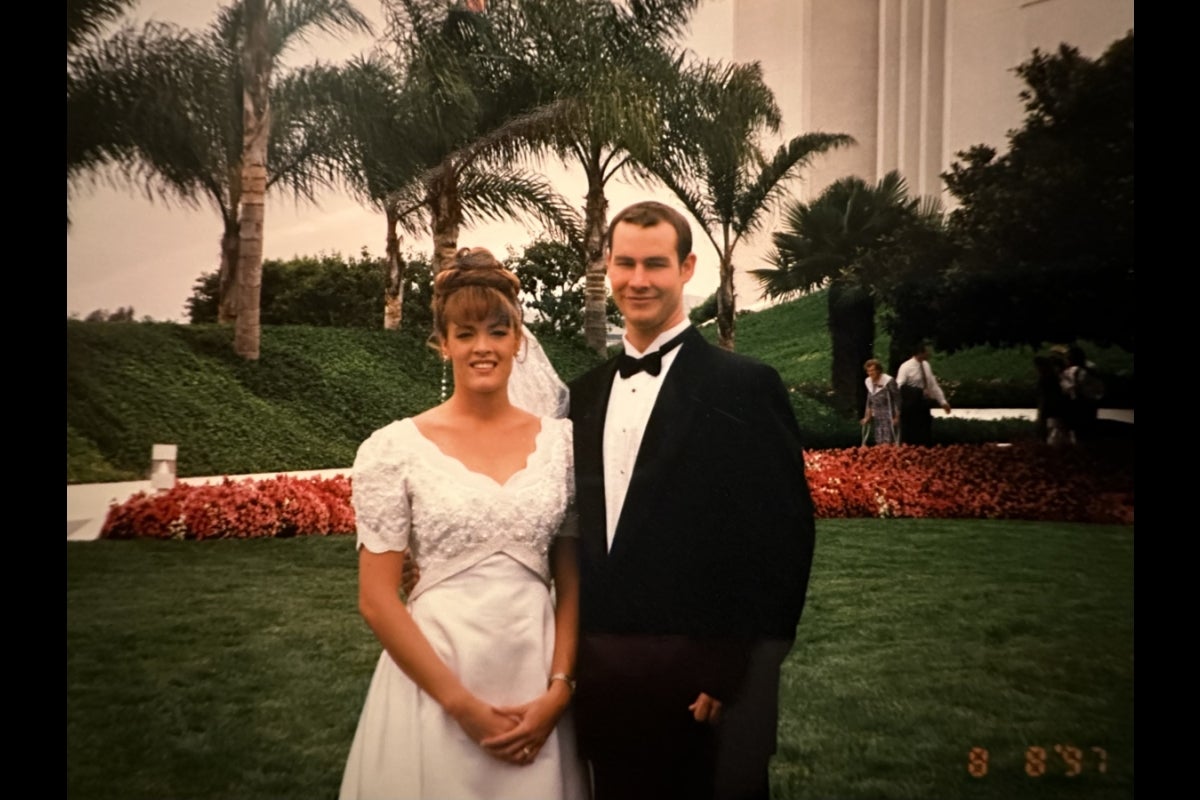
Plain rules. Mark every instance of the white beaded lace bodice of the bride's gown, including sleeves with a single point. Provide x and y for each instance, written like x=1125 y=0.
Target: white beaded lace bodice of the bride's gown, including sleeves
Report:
x=409 y=495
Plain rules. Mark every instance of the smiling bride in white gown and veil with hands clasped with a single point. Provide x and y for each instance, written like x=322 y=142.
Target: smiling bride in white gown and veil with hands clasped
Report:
x=471 y=695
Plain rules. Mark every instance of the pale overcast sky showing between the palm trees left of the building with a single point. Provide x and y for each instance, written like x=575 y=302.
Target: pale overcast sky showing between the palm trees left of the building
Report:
x=123 y=250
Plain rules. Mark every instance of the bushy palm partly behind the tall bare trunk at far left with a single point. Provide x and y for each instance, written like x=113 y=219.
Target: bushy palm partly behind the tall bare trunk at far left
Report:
x=178 y=99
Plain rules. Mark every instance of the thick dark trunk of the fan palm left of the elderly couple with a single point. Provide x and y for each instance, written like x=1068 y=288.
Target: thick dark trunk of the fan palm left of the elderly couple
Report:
x=853 y=342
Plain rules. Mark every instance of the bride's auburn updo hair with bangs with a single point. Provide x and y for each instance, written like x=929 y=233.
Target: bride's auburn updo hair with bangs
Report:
x=476 y=288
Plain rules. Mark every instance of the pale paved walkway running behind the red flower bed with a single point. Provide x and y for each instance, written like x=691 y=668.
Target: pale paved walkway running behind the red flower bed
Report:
x=88 y=503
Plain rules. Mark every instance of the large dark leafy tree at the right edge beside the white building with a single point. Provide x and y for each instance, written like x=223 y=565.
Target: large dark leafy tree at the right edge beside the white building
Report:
x=1047 y=230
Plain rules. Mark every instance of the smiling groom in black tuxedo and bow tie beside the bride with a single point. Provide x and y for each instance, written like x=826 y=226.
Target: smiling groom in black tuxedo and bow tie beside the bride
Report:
x=697 y=539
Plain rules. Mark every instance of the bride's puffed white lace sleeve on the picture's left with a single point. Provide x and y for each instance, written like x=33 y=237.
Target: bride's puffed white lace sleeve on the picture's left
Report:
x=383 y=512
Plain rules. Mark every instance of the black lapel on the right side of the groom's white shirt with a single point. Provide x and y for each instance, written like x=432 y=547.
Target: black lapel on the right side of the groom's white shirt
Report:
x=670 y=425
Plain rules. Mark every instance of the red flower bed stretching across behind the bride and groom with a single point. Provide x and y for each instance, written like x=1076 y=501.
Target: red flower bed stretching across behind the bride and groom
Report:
x=1024 y=482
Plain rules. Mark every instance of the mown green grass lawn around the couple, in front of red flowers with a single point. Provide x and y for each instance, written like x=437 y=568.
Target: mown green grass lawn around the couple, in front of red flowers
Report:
x=237 y=669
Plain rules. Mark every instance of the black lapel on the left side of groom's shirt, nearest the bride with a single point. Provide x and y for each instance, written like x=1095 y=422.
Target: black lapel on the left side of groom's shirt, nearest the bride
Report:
x=590 y=467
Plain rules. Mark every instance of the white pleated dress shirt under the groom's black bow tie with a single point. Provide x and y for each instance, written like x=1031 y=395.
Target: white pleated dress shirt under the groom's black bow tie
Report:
x=631 y=402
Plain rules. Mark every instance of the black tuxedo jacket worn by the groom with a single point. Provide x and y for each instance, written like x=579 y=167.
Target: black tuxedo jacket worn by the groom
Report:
x=716 y=539
